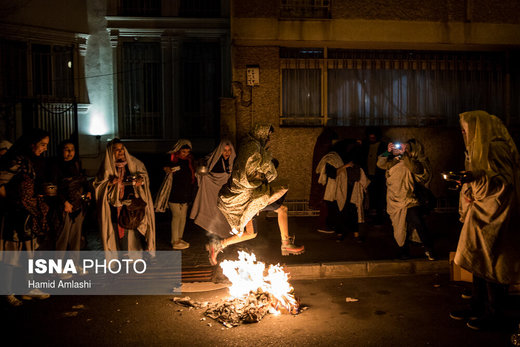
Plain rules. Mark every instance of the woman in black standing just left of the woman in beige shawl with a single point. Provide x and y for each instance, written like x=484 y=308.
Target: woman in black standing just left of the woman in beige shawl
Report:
x=72 y=193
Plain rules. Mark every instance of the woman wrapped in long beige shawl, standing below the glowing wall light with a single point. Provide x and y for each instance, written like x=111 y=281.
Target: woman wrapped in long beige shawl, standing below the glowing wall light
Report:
x=124 y=201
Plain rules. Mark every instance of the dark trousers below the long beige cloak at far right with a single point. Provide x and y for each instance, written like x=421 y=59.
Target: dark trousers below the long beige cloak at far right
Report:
x=488 y=298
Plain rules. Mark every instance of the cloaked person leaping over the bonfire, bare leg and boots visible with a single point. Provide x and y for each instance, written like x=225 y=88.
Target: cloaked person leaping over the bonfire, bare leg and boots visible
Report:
x=252 y=189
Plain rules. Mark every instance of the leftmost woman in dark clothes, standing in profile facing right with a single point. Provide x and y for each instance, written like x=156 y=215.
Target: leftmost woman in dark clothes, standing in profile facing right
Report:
x=25 y=215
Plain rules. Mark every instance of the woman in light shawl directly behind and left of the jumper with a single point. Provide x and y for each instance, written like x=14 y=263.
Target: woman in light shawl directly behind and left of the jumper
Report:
x=204 y=210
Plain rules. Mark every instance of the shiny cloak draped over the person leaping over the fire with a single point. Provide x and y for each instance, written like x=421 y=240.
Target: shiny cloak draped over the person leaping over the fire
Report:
x=251 y=186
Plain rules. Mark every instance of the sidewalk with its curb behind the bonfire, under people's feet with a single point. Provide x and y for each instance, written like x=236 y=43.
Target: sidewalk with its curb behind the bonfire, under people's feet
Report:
x=325 y=256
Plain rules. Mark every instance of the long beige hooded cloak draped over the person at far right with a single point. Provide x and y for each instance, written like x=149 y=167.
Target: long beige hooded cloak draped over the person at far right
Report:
x=489 y=242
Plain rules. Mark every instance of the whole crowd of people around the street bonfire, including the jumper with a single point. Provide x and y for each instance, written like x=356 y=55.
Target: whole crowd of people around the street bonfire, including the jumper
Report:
x=44 y=202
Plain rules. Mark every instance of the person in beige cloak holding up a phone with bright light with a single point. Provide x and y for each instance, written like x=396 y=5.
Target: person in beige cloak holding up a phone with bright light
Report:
x=406 y=165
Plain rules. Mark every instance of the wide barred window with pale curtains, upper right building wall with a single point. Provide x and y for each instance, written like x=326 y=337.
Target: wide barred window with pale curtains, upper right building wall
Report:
x=390 y=88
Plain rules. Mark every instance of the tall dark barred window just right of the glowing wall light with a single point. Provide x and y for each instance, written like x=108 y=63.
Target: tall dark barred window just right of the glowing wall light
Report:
x=141 y=104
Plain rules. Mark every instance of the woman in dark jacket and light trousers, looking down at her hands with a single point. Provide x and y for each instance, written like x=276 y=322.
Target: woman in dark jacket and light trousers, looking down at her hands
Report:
x=177 y=189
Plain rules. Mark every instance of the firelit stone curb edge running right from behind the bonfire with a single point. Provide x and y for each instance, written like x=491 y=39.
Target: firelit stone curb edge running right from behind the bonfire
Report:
x=375 y=268
